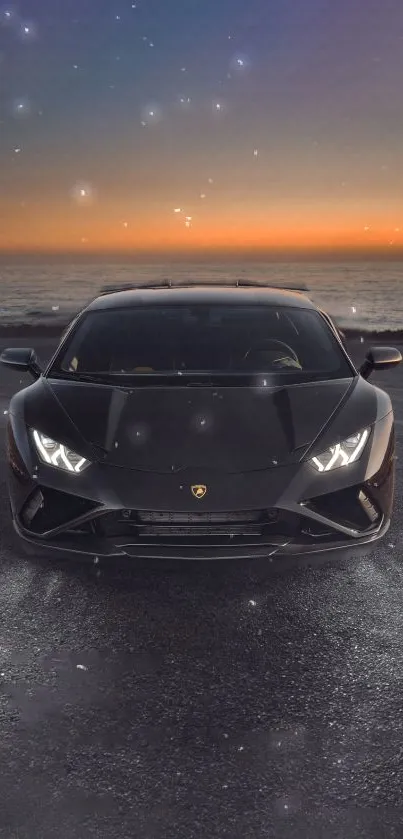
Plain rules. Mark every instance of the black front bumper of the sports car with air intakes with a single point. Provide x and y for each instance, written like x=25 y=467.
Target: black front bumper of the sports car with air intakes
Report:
x=110 y=514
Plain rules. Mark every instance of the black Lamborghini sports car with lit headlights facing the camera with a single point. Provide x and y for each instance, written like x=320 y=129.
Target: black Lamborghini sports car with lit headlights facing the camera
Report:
x=200 y=422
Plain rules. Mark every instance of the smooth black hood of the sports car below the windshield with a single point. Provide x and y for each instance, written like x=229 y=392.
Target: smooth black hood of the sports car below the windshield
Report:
x=166 y=429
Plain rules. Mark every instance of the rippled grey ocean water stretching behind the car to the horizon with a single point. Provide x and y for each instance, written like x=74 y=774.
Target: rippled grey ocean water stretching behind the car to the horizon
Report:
x=359 y=295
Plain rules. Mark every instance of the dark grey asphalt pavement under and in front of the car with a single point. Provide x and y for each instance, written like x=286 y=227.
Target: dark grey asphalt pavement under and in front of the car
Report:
x=211 y=700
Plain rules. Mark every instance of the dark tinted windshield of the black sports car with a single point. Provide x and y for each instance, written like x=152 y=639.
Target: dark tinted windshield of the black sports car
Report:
x=202 y=339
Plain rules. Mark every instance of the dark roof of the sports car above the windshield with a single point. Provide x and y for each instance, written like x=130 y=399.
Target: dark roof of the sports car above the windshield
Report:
x=165 y=295
